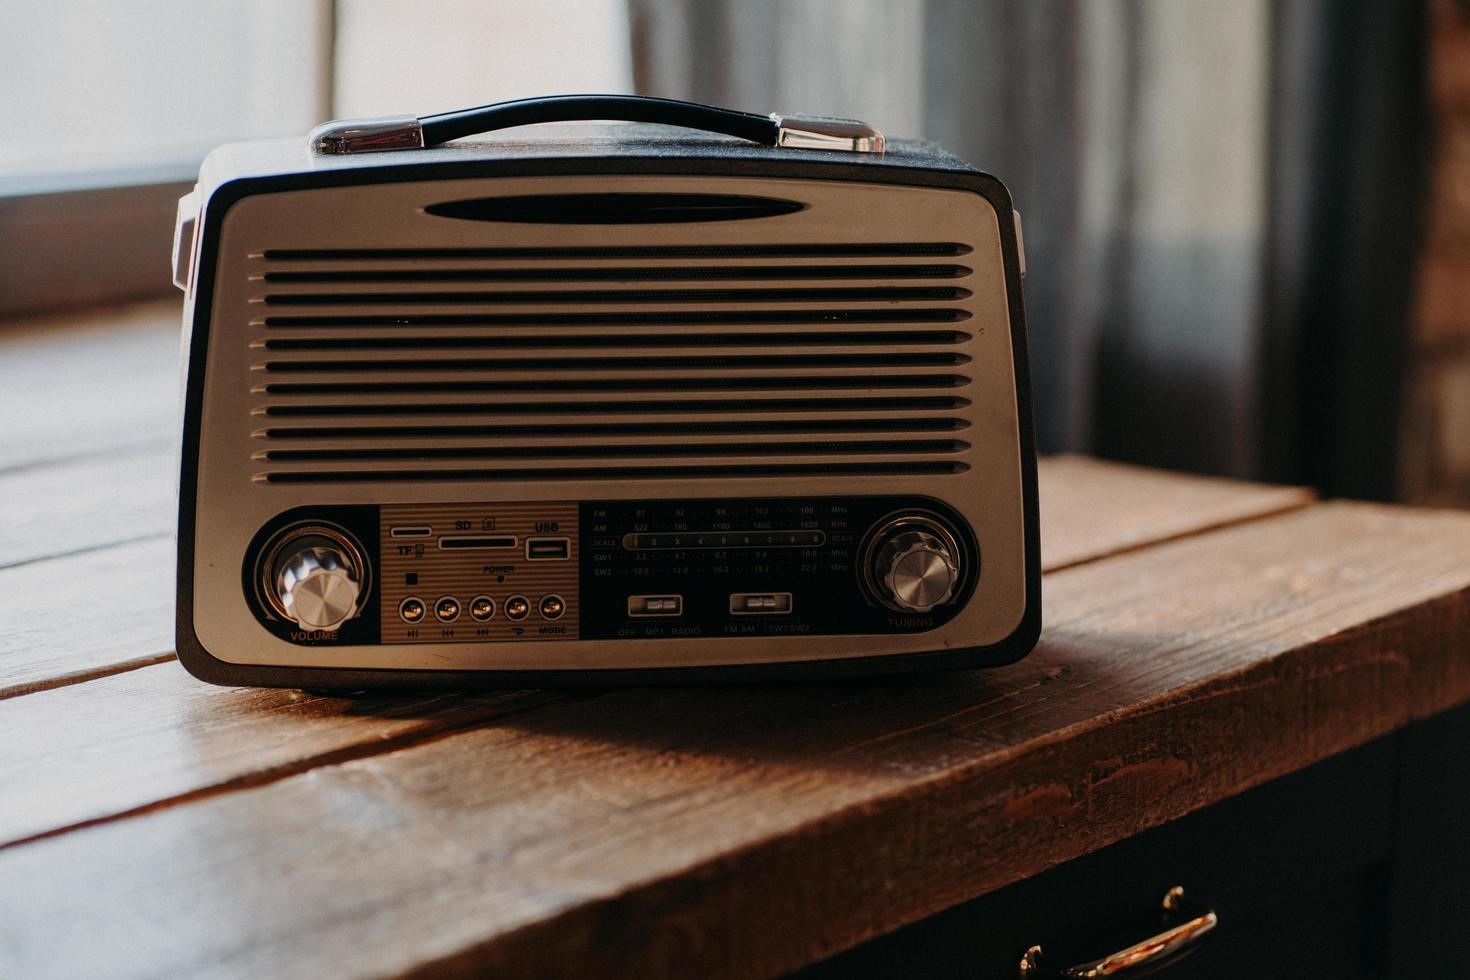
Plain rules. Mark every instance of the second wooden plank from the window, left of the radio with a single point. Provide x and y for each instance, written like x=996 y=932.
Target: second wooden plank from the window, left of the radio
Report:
x=83 y=505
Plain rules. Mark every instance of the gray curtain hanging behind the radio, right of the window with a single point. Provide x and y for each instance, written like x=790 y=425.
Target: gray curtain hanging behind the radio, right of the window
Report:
x=1162 y=154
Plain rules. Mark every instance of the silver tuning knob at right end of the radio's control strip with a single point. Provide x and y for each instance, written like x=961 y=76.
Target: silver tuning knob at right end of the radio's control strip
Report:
x=915 y=565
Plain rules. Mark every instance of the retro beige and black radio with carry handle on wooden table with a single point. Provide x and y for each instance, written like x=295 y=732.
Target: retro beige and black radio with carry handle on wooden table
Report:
x=600 y=403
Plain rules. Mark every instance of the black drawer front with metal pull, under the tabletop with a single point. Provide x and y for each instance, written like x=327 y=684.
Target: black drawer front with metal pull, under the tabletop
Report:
x=1296 y=872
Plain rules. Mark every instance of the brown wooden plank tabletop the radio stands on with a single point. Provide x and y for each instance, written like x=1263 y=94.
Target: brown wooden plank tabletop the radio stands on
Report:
x=1202 y=638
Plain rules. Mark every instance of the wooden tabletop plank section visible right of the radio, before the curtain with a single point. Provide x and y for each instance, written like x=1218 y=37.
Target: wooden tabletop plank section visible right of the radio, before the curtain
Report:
x=1091 y=509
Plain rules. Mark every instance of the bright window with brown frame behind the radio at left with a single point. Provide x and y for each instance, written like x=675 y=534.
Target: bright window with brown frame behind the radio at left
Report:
x=110 y=108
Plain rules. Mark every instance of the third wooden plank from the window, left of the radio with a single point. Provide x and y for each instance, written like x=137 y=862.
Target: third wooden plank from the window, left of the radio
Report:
x=86 y=616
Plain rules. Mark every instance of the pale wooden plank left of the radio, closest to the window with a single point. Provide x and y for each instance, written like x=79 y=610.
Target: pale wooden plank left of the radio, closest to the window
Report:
x=73 y=386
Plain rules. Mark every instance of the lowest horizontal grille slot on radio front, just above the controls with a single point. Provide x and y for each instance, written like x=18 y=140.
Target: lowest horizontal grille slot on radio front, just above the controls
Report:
x=906 y=468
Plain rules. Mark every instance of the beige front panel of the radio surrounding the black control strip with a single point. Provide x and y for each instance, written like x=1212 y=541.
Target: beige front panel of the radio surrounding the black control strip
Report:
x=245 y=475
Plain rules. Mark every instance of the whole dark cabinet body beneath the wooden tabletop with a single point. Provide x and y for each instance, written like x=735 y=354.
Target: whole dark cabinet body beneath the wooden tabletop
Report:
x=1355 y=868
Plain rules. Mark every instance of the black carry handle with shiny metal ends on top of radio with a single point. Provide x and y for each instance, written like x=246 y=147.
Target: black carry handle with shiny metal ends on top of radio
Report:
x=409 y=133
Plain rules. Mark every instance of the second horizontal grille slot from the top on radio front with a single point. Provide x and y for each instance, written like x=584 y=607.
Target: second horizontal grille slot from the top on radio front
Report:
x=628 y=274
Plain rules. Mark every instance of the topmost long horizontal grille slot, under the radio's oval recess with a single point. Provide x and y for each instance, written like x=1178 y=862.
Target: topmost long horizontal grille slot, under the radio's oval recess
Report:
x=877 y=251
